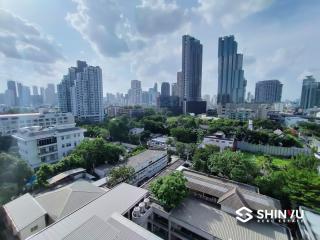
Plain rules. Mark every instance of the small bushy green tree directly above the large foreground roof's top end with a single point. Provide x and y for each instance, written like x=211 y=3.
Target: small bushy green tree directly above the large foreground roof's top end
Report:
x=120 y=174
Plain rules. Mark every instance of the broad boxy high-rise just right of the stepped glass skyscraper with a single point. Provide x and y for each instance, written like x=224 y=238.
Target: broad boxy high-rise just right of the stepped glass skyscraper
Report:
x=268 y=91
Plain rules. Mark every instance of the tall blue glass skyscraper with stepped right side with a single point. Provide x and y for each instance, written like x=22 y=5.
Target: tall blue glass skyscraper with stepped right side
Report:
x=231 y=81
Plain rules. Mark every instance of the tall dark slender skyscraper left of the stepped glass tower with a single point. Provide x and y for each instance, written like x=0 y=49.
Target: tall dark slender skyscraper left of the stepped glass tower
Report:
x=191 y=68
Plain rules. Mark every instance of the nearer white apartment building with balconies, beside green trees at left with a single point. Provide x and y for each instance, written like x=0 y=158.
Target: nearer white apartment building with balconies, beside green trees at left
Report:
x=39 y=145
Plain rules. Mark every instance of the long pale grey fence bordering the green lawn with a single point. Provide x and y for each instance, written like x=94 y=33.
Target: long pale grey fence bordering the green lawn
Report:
x=272 y=150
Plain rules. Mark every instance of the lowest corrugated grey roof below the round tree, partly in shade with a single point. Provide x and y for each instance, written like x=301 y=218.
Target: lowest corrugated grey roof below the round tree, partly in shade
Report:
x=204 y=216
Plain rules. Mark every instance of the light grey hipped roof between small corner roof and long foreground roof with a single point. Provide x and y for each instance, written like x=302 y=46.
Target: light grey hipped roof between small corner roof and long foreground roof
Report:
x=59 y=203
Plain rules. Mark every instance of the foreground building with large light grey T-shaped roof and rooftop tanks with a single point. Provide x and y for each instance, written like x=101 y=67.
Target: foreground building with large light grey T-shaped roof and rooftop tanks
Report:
x=106 y=217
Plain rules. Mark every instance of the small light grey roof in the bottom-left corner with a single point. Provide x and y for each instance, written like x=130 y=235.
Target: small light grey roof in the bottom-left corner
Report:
x=24 y=210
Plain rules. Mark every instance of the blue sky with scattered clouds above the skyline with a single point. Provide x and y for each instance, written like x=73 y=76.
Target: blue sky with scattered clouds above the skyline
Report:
x=141 y=39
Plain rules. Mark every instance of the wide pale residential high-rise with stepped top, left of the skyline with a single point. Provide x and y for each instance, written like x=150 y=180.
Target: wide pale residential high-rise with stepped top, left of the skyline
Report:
x=81 y=92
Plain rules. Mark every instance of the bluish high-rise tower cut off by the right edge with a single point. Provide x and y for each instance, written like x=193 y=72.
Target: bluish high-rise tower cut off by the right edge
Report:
x=310 y=93
